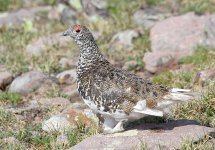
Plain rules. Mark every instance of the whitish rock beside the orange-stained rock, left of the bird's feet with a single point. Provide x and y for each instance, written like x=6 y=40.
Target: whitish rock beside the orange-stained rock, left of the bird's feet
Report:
x=58 y=123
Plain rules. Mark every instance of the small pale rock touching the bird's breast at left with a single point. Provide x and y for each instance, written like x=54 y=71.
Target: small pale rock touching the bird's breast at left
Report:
x=67 y=77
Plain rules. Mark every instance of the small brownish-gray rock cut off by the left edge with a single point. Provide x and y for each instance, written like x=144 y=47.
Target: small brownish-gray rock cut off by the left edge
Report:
x=5 y=79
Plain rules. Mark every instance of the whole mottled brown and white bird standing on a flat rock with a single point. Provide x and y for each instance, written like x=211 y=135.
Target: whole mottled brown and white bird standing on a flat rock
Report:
x=116 y=94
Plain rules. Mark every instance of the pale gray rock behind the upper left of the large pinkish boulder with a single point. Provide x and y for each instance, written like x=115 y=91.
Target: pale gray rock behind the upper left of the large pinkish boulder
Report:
x=149 y=16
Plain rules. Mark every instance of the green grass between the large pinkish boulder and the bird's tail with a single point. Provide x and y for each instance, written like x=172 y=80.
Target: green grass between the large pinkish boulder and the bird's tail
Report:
x=202 y=59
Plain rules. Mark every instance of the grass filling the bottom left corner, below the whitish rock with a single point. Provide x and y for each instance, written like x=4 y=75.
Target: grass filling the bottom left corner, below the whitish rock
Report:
x=32 y=135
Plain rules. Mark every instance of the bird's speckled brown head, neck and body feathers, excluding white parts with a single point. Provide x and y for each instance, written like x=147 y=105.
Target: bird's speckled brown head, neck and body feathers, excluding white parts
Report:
x=106 y=86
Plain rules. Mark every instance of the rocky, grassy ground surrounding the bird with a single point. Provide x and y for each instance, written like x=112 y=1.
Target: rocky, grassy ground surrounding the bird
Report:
x=169 y=42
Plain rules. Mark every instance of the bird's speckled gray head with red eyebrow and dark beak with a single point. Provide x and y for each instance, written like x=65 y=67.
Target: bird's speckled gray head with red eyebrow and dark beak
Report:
x=78 y=33
